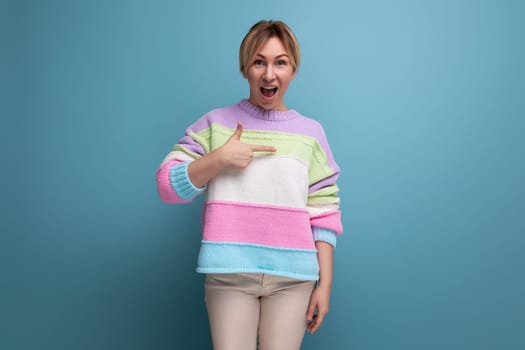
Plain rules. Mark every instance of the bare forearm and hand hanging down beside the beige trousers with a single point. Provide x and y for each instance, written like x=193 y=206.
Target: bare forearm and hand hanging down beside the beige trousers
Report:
x=320 y=299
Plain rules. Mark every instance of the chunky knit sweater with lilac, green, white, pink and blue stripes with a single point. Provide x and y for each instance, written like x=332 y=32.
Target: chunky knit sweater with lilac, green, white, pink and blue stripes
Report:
x=266 y=217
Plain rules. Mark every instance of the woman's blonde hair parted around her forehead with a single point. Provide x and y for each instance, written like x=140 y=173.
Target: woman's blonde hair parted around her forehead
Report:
x=257 y=36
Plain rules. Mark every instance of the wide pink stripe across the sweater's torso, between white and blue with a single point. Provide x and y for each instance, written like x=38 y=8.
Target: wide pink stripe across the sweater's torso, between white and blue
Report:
x=257 y=224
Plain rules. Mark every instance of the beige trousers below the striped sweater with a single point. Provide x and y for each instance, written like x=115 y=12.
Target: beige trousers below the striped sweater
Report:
x=244 y=307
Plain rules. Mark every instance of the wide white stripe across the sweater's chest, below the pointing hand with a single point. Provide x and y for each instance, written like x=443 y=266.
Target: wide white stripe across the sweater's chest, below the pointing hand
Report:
x=270 y=180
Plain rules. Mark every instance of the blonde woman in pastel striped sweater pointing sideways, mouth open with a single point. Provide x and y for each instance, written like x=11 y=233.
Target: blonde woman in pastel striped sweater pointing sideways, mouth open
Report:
x=271 y=214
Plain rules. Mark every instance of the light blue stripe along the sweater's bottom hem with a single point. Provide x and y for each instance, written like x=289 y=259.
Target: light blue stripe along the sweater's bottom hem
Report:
x=238 y=257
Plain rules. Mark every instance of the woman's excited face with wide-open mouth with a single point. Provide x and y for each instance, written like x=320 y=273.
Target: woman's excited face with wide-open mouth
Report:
x=269 y=74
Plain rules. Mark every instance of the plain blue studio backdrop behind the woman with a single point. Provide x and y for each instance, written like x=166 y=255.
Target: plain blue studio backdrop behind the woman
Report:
x=423 y=104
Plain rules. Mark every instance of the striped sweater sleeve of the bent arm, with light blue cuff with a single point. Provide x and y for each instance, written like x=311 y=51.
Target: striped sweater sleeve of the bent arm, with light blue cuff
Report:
x=173 y=182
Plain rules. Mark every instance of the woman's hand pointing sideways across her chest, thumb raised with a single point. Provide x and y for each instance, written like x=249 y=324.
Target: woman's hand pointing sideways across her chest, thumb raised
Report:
x=237 y=154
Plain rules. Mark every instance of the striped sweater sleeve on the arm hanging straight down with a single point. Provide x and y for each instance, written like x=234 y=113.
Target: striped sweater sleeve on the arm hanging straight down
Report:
x=323 y=199
